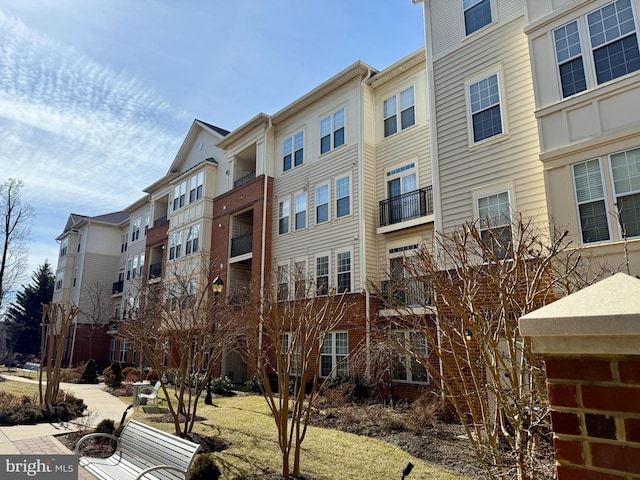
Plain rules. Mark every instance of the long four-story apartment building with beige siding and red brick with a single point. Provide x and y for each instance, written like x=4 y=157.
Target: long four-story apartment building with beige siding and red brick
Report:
x=338 y=187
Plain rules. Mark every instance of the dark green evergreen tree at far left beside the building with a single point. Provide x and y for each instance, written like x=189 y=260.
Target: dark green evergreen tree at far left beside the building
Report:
x=25 y=314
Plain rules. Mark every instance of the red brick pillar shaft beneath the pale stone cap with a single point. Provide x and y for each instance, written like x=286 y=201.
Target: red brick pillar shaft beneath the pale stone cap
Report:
x=595 y=404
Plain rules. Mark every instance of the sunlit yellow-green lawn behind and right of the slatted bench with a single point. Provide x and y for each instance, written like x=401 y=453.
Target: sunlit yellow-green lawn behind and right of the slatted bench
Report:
x=246 y=424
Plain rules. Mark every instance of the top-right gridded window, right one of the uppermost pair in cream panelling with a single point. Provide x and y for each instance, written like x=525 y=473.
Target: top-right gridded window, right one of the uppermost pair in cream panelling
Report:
x=614 y=43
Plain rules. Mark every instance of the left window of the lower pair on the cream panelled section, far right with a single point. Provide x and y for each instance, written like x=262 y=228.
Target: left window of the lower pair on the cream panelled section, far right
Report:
x=590 y=196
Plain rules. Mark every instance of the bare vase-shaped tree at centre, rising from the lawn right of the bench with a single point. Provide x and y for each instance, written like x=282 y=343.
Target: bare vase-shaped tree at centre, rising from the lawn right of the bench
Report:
x=294 y=331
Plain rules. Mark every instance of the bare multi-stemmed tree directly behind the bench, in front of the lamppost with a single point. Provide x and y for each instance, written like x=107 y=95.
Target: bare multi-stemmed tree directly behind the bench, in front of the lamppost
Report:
x=181 y=323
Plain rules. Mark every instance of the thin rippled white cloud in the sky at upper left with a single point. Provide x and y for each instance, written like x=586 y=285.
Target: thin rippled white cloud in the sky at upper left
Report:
x=82 y=137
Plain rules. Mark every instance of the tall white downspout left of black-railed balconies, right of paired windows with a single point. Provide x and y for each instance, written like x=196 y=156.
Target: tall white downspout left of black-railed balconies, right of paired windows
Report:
x=363 y=256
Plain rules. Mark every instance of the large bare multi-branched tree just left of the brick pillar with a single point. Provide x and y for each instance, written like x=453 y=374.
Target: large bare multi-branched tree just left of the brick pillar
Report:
x=474 y=283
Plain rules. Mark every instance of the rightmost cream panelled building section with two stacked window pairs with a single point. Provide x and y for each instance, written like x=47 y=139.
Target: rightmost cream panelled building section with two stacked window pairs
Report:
x=586 y=72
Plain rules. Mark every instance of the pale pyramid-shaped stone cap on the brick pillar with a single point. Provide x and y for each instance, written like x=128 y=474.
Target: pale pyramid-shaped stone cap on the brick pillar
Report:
x=601 y=319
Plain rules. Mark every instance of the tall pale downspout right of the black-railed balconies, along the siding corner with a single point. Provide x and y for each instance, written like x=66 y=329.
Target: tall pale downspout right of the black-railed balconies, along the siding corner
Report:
x=435 y=165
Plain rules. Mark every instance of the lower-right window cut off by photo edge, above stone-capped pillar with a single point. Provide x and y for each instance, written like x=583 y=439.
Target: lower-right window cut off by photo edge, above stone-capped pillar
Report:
x=625 y=169
